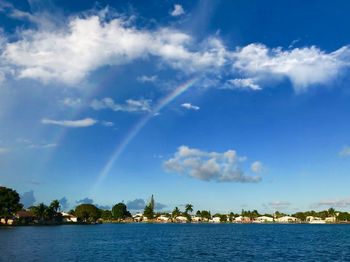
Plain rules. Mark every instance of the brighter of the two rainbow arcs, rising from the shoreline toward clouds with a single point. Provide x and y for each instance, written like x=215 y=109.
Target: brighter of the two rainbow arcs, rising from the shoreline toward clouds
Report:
x=139 y=125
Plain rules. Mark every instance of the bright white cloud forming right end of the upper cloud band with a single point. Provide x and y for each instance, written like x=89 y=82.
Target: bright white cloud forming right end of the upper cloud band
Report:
x=302 y=66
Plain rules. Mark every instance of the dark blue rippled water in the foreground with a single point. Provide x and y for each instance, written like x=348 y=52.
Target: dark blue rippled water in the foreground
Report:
x=176 y=242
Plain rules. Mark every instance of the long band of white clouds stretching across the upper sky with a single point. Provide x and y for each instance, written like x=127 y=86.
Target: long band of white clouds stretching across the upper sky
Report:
x=62 y=53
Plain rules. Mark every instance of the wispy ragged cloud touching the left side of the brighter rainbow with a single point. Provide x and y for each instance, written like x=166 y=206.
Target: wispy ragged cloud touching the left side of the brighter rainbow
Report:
x=130 y=105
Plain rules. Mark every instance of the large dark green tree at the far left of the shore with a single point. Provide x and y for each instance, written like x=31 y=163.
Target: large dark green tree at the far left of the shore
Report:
x=9 y=202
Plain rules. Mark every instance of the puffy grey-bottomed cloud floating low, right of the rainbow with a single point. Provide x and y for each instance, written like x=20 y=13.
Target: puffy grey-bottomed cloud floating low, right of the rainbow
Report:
x=209 y=166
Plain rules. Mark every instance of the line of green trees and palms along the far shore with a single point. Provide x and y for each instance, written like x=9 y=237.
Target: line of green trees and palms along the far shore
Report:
x=89 y=213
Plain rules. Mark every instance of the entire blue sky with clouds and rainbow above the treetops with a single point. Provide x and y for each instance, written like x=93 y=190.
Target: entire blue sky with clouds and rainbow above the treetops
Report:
x=223 y=104
